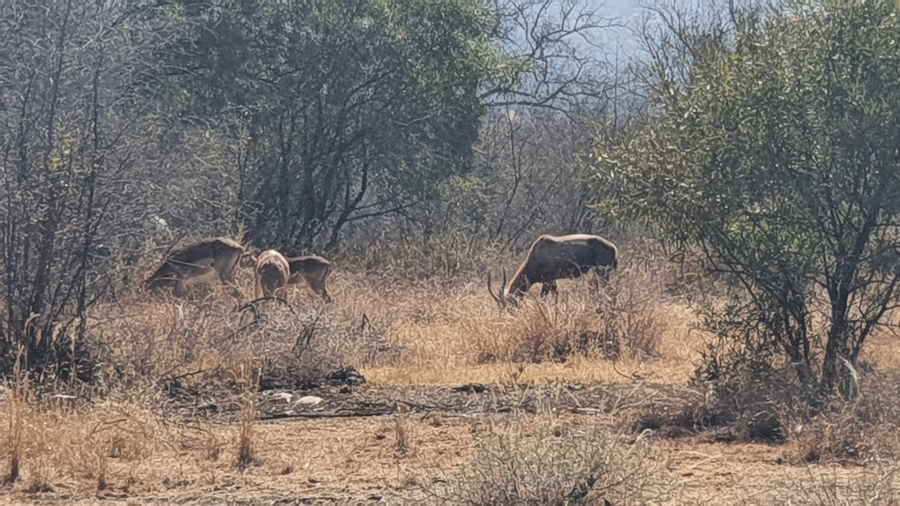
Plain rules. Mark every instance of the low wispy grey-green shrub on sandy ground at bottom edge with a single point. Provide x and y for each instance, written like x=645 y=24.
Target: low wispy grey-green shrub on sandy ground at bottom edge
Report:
x=551 y=461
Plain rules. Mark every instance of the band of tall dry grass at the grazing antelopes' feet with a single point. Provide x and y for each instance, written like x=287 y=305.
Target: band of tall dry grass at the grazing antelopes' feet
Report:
x=400 y=328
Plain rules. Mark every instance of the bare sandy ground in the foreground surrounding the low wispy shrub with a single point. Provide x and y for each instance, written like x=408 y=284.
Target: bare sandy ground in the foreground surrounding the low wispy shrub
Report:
x=414 y=454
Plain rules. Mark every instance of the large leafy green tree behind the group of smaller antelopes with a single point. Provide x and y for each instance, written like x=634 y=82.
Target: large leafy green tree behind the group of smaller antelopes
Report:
x=342 y=111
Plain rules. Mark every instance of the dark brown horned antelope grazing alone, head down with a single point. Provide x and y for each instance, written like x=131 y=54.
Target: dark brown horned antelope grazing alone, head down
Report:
x=551 y=258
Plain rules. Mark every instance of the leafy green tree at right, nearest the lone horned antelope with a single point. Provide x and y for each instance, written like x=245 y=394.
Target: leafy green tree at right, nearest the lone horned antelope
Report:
x=780 y=158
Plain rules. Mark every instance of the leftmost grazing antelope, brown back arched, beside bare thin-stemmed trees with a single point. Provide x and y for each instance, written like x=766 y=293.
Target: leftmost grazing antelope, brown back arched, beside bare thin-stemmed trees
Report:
x=196 y=263
